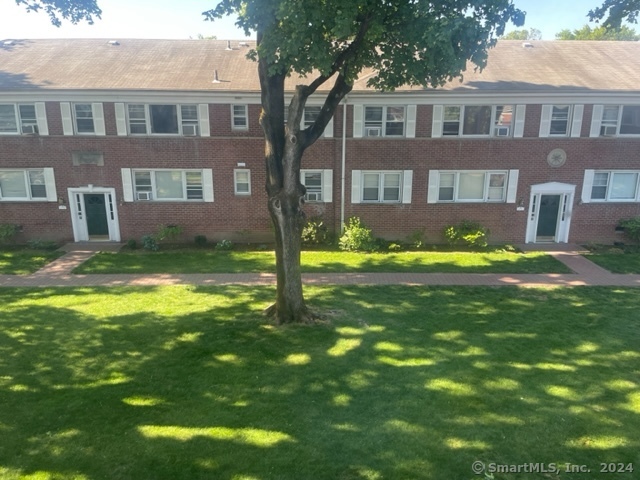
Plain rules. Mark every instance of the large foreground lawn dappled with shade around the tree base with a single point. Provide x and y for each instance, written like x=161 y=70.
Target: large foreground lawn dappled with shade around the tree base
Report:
x=402 y=383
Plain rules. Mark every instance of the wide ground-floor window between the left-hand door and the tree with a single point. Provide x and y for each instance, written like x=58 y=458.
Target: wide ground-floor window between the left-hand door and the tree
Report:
x=173 y=185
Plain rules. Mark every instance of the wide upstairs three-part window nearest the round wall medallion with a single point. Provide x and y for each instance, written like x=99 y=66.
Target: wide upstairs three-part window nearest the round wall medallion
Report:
x=477 y=120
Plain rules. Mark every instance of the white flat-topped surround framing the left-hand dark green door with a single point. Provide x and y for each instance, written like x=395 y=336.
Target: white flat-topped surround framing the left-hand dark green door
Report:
x=79 y=216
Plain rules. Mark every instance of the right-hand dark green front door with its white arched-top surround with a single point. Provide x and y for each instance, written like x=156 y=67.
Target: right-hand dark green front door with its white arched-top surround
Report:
x=550 y=209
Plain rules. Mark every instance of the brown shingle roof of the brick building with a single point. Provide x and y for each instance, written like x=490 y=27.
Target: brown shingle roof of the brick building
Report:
x=182 y=65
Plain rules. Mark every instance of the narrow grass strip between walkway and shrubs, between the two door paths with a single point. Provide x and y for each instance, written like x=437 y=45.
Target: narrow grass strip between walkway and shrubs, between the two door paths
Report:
x=206 y=261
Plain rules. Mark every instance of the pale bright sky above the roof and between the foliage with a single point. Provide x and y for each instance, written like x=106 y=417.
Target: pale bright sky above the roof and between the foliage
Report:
x=183 y=19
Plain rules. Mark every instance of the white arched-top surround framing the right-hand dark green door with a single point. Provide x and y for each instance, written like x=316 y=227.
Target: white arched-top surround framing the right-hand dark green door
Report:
x=566 y=193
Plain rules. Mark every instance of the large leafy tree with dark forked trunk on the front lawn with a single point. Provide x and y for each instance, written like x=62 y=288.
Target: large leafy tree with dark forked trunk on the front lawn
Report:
x=326 y=44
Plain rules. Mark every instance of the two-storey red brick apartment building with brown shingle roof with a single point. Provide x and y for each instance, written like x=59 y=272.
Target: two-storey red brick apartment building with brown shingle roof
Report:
x=105 y=140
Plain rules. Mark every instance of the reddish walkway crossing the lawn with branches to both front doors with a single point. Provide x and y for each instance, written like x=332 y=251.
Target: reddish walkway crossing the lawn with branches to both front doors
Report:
x=58 y=273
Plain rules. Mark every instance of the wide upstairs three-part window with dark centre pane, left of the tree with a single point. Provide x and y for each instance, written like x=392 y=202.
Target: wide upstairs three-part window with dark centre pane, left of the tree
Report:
x=163 y=119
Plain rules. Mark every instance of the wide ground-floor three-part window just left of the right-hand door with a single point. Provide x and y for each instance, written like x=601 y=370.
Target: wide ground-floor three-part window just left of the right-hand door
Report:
x=472 y=186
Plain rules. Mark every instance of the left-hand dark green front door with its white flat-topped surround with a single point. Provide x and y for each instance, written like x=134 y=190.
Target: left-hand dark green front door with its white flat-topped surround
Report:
x=94 y=214
